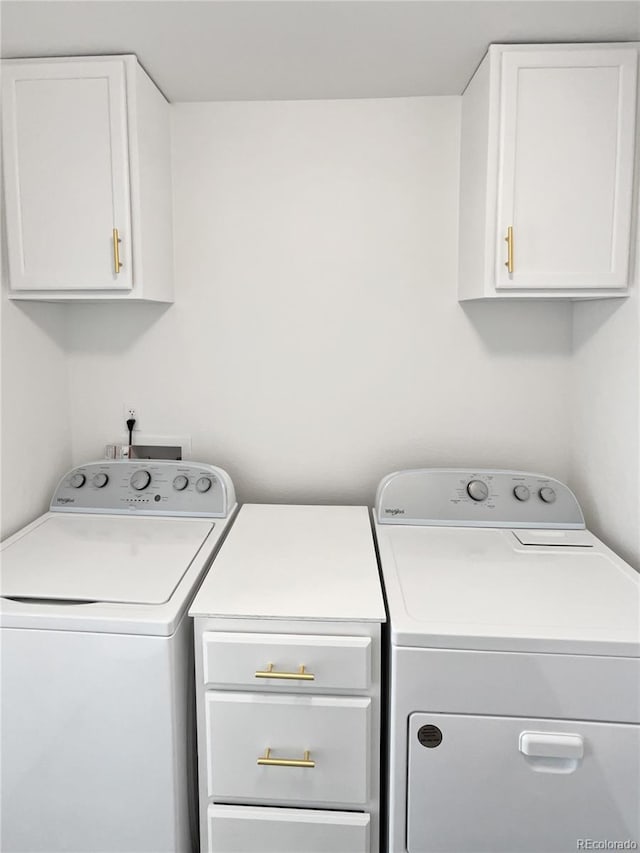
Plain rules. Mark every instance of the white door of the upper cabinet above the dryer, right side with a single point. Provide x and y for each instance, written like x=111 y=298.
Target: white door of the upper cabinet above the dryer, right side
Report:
x=566 y=168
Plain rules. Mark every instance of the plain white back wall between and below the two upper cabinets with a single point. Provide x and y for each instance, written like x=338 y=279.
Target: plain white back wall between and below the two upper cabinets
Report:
x=316 y=342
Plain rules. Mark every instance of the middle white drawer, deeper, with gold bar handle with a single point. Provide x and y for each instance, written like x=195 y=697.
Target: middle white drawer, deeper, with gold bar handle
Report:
x=331 y=734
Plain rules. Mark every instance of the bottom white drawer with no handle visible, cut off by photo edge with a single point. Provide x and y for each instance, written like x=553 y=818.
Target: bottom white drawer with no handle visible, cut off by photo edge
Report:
x=246 y=829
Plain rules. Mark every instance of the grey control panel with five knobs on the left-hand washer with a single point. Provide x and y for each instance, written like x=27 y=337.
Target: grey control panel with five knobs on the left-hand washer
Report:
x=146 y=487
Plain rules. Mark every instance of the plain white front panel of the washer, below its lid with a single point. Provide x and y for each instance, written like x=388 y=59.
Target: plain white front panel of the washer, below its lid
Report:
x=94 y=742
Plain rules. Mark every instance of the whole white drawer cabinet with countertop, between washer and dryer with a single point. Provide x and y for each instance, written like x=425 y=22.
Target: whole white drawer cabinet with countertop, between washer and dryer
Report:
x=288 y=682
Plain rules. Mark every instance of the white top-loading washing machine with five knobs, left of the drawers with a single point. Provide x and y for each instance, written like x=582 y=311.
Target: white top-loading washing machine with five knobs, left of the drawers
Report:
x=97 y=729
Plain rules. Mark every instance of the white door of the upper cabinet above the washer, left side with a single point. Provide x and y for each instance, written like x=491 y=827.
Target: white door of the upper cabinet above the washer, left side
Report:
x=66 y=175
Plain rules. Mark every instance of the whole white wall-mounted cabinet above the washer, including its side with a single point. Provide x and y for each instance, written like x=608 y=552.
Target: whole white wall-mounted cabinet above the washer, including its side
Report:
x=86 y=152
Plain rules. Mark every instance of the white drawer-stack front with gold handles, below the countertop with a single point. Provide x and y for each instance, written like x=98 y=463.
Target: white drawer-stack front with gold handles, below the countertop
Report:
x=286 y=765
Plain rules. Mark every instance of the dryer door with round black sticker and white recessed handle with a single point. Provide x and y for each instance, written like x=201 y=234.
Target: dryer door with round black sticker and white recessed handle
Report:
x=513 y=785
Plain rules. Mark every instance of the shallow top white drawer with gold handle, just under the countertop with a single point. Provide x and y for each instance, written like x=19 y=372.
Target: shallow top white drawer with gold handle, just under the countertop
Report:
x=267 y=661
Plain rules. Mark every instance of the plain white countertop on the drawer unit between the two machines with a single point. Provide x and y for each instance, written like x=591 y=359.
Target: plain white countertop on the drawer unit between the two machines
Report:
x=295 y=562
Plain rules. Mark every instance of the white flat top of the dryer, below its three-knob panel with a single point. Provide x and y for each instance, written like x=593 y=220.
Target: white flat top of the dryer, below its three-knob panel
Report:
x=485 y=589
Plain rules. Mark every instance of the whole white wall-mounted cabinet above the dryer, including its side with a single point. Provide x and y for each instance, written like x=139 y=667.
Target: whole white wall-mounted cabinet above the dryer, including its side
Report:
x=546 y=184
